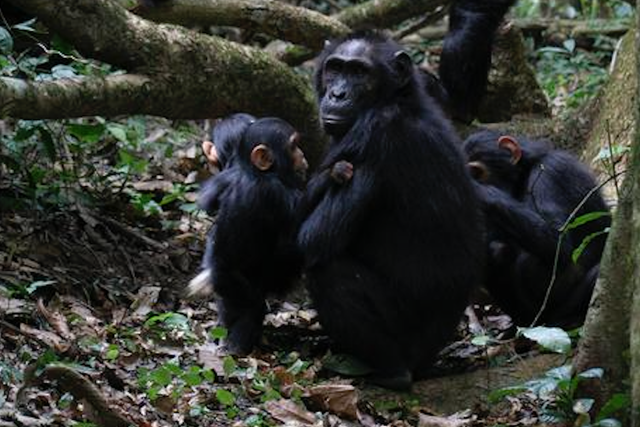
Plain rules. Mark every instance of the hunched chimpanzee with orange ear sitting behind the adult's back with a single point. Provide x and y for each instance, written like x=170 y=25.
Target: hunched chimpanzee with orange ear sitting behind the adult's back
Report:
x=529 y=191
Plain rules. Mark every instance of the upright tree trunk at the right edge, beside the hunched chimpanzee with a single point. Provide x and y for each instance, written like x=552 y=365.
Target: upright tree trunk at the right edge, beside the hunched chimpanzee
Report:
x=612 y=329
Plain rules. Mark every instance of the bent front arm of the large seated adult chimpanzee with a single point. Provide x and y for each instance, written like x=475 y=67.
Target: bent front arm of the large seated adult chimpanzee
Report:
x=331 y=224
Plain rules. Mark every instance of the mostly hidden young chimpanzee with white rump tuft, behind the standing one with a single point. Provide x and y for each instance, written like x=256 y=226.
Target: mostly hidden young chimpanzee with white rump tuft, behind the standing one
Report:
x=220 y=150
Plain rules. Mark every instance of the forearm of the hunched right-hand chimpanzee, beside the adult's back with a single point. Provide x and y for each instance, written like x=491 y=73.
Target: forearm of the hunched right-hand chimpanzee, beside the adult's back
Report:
x=525 y=225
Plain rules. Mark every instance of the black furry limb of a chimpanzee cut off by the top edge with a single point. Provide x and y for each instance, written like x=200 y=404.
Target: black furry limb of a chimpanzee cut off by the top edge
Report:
x=466 y=54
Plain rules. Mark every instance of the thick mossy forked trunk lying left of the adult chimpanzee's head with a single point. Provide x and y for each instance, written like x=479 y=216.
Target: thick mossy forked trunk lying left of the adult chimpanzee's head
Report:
x=176 y=73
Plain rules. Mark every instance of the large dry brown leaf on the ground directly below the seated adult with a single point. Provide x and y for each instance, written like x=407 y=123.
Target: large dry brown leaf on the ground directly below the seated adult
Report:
x=339 y=399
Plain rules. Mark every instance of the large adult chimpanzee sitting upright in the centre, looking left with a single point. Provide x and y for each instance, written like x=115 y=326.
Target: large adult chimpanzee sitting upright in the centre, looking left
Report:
x=392 y=254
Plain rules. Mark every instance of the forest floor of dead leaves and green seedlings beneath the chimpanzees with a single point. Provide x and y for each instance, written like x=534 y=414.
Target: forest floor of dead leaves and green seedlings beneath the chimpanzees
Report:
x=97 y=303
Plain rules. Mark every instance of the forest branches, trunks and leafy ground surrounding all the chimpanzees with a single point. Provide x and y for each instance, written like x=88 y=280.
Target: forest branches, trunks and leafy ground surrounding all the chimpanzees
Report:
x=103 y=106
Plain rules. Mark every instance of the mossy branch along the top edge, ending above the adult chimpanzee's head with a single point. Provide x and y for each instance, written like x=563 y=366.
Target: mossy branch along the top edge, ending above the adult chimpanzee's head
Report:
x=283 y=21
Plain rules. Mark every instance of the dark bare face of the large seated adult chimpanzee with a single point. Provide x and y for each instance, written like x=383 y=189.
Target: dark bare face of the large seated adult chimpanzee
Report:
x=350 y=83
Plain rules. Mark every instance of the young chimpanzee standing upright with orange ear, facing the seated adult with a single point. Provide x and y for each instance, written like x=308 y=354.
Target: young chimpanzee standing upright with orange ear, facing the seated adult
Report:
x=254 y=252
